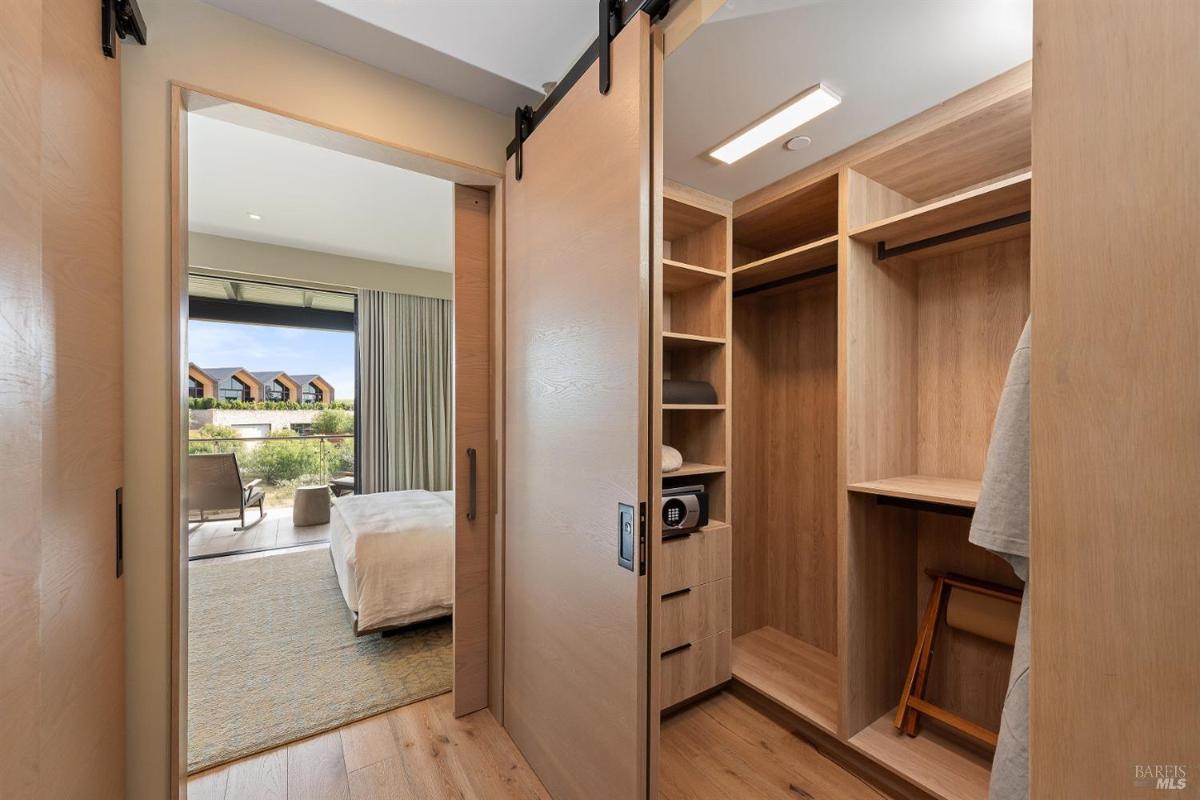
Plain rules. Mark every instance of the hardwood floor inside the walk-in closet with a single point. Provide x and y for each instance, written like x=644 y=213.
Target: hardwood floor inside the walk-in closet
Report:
x=723 y=749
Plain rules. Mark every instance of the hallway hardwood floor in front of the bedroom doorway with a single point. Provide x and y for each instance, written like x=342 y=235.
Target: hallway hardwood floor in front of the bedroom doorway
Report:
x=418 y=751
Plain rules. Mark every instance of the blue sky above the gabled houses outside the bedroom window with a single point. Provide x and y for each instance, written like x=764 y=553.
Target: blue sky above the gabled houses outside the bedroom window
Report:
x=262 y=348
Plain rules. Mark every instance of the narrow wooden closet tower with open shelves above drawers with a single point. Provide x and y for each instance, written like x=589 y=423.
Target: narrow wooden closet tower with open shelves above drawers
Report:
x=693 y=572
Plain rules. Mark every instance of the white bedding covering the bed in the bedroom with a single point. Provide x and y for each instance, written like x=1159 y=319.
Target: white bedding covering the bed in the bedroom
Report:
x=394 y=556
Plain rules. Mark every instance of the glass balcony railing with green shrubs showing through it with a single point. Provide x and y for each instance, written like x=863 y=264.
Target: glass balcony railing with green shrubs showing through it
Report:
x=285 y=462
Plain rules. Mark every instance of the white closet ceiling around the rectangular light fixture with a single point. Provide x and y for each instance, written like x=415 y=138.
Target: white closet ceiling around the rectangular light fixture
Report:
x=889 y=59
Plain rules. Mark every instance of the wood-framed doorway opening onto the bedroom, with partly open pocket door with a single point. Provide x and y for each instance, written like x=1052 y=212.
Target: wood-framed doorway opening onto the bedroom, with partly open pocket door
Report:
x=345 y=288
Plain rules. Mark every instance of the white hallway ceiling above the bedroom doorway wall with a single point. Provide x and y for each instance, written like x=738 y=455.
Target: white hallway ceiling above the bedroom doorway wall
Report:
x=495 y=53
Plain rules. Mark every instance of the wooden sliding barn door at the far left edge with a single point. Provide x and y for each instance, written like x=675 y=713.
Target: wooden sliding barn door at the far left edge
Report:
x=62 y=627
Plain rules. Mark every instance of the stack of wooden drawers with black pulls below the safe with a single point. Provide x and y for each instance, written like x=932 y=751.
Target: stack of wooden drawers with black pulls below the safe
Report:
x=695 y=617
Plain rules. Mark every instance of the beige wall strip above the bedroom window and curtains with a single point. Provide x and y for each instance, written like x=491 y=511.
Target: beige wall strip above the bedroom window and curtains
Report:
x=227 y=256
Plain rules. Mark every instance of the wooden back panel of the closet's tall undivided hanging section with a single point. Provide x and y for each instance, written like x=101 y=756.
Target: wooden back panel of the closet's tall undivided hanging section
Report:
x=785 y=466
